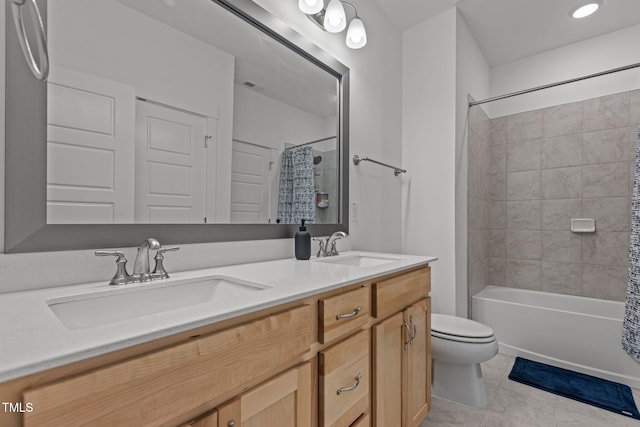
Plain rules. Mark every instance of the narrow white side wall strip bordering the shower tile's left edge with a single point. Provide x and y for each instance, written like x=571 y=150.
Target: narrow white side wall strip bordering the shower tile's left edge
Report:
x=472 y=77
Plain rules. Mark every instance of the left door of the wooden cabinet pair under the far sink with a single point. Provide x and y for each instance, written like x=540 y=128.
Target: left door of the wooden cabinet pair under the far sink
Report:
x=387 y=372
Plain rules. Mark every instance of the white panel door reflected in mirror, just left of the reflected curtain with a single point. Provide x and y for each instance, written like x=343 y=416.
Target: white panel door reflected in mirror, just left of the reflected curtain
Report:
x=250 y=183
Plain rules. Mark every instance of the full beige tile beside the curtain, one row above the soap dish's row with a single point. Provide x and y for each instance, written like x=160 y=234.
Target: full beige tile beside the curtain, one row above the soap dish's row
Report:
x=605 y=180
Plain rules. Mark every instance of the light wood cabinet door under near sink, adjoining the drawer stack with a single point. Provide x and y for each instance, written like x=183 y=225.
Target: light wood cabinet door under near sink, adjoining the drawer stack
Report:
x=284 y=401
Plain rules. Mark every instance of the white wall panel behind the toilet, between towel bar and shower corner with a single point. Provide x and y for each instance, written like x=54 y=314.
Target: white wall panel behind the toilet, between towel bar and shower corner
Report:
x=429 y=150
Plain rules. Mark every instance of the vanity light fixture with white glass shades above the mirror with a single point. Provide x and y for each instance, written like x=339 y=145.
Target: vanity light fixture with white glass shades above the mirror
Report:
x=334 y=20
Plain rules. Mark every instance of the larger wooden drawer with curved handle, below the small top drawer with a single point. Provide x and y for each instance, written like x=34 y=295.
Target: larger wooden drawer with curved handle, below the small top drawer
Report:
x=344 y=381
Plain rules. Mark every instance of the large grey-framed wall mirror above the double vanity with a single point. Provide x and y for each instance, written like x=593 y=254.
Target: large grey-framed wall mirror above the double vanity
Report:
x=183 y=114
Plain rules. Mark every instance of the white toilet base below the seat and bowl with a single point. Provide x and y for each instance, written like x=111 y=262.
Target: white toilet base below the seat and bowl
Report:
x=460 y=383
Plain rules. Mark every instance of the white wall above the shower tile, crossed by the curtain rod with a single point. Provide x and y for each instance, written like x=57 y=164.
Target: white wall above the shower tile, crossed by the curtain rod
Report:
x=602 y=53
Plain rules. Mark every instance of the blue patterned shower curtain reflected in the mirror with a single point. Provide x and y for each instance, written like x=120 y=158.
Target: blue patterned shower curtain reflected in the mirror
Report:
x=296 y=197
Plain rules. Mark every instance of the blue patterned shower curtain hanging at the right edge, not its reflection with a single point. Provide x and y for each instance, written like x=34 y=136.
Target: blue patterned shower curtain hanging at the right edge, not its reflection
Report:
x=631 y=325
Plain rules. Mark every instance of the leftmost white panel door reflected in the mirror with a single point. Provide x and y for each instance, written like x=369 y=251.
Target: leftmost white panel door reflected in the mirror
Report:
x=90 y=149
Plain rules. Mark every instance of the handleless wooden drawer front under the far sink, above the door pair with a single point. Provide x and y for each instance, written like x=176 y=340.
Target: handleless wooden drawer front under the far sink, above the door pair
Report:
x=394 y=294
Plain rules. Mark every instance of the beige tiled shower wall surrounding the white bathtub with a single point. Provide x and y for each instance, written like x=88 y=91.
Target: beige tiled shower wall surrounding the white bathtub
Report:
x=544 y=167
